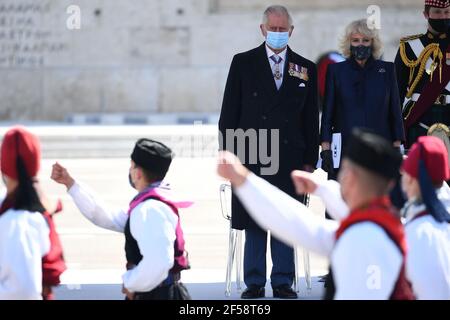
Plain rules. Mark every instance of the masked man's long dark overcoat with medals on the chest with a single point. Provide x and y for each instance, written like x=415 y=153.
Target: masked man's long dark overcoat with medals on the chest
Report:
x=252 y=101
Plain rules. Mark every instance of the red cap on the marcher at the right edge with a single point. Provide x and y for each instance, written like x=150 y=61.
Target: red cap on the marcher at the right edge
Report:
x=435 y=156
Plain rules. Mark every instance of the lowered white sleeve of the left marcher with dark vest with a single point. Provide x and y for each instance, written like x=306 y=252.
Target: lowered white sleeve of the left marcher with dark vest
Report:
x=153 y=226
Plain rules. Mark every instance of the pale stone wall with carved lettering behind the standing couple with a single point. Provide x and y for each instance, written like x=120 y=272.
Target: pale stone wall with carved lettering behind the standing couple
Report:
x=154 y=56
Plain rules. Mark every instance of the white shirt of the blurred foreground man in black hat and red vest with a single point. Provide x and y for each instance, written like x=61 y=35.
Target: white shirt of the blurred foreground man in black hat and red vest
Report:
x=365 y=261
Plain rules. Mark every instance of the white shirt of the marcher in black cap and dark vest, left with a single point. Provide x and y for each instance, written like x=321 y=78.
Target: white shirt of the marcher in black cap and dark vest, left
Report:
x=152 y=225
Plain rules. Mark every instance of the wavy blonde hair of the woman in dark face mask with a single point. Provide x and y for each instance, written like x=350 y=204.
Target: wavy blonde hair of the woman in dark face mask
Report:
x=360 y=26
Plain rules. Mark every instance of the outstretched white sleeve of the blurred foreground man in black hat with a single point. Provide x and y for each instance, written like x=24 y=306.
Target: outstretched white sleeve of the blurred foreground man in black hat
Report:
x=288 y=219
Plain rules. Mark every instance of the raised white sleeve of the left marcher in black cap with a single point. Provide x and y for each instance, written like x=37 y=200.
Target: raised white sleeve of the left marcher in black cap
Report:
x=96 y=211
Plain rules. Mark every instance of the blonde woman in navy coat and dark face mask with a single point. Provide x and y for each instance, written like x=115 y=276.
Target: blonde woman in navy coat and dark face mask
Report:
x=360 y=92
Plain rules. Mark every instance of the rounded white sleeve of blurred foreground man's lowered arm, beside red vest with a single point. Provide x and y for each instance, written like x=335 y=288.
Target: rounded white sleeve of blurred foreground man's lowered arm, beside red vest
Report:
x=366 y=263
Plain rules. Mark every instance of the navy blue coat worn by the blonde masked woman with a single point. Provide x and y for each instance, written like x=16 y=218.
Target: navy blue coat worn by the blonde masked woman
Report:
x=362 y=97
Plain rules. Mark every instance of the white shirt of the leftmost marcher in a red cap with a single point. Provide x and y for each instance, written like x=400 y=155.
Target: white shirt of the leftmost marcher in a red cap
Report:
x=24 y=240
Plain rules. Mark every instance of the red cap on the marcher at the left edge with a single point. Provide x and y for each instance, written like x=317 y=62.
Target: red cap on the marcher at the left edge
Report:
x=20 y=142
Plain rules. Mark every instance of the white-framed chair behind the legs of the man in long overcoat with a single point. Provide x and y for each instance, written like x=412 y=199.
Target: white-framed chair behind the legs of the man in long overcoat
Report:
x=235 y=248
